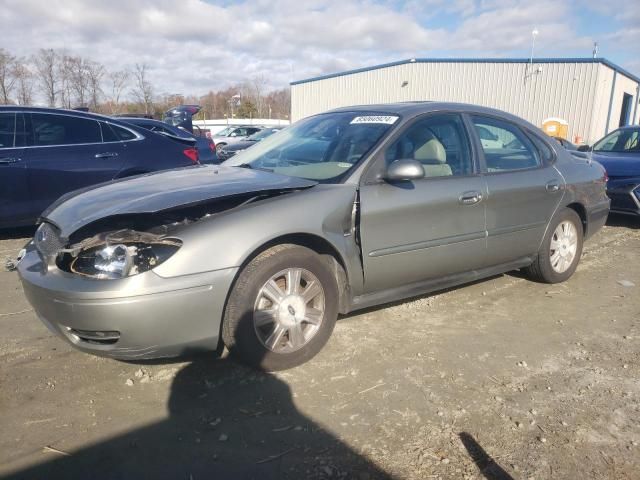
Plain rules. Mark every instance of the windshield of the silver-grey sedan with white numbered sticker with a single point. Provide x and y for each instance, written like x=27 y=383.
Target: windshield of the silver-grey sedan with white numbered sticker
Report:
x=324 y=147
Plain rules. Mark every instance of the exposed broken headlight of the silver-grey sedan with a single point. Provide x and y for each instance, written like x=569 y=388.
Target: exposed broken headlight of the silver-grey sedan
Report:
x=122 y=259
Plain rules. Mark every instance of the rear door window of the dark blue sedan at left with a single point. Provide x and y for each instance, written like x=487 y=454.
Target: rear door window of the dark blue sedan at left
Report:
x=52 y=129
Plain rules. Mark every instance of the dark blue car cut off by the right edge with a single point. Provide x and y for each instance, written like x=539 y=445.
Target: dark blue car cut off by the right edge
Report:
x=619 y=154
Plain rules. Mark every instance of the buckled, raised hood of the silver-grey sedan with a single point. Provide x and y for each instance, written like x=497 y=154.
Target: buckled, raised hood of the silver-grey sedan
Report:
x=163 y=190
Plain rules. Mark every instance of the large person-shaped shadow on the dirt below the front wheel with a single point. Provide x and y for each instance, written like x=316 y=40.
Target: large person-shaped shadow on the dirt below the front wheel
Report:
x=225 y=421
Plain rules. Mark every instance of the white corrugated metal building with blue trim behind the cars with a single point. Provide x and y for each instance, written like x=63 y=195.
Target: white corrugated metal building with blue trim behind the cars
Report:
x=593 y=95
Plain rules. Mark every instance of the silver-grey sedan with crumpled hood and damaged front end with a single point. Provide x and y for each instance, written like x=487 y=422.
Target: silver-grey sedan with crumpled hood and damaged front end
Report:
x=344 y=210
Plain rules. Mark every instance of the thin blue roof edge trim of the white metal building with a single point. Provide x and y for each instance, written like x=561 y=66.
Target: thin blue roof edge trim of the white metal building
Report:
x=603 y=61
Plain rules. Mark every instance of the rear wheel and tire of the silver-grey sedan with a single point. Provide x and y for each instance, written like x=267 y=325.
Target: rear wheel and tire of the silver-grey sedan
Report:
x=552 y=267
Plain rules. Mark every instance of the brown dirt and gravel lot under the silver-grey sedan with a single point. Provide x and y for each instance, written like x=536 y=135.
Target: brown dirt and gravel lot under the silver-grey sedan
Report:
x=499 y=379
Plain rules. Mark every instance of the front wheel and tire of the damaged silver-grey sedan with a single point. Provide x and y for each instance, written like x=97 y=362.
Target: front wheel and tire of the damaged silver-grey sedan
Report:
x=287 y=332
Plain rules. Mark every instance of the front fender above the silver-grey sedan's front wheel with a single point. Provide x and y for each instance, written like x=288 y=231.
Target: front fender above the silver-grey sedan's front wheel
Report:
x=230 y=238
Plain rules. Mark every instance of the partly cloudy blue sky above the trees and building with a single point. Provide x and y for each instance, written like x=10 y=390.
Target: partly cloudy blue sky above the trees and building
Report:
x=193 y=46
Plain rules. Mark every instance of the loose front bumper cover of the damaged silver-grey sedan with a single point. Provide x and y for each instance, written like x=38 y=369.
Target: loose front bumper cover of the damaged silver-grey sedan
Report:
x=138 y=317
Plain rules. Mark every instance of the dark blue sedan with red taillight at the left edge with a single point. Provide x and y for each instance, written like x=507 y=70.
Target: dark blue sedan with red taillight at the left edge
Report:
x=45 y=153
